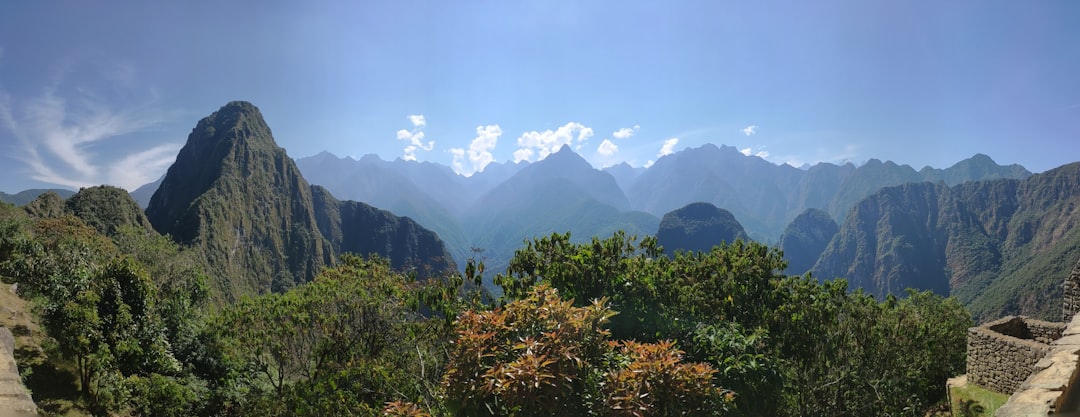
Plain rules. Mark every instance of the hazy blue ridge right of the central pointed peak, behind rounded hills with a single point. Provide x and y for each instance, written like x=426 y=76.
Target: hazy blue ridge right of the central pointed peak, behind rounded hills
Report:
x=765 y=197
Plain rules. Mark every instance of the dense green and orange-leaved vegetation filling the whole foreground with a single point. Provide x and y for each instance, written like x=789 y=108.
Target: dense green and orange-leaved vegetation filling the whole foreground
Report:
x=610 y=327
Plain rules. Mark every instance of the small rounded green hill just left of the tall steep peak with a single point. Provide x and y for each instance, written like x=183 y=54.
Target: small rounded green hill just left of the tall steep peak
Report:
x=107 y=209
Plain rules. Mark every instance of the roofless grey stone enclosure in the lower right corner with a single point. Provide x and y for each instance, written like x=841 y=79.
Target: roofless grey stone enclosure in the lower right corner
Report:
x=1003 y=354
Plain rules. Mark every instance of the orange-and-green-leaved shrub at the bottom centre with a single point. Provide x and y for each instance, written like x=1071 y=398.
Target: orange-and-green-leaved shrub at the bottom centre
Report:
x=543 y=357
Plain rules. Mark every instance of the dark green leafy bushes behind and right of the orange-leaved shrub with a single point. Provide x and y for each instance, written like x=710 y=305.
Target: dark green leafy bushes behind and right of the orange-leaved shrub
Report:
x=788 y=346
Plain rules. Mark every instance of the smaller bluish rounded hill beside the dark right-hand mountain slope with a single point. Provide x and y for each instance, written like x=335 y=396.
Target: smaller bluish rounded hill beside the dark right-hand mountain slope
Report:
x=806 y=238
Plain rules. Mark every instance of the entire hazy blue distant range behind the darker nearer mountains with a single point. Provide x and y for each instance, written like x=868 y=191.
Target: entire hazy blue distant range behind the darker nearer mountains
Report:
x=498 y=208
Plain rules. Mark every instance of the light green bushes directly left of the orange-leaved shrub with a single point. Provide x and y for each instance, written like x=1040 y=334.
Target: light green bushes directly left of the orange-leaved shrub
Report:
x=347 y=343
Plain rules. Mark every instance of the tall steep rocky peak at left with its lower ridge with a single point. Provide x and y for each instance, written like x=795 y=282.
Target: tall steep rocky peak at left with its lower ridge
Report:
x=235 y=195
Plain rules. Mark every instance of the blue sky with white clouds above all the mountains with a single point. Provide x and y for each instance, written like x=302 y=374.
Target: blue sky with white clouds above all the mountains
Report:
x=107 y=92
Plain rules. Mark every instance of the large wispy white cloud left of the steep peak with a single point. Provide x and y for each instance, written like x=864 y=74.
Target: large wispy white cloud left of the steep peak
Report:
x=66 y=141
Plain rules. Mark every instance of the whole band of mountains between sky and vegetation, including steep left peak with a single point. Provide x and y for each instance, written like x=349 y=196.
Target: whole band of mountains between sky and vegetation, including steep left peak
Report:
x=996 y=237
